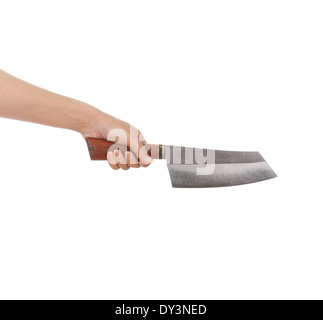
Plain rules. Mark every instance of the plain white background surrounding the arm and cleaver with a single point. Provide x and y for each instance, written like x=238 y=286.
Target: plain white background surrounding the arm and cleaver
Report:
x=232 y=75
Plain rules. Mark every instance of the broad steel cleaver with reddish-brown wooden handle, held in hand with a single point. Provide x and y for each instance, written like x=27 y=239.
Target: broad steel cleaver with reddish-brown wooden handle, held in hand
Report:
x=199 y=168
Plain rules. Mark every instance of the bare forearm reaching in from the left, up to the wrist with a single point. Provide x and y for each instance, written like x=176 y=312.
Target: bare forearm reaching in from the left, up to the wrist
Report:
x=22 y=101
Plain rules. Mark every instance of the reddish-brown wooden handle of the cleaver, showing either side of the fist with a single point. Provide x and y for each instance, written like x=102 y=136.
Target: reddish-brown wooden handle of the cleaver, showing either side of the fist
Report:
x=98 y=149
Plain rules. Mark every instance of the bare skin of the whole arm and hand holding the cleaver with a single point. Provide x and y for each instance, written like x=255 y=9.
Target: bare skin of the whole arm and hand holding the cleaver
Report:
x=20 y=100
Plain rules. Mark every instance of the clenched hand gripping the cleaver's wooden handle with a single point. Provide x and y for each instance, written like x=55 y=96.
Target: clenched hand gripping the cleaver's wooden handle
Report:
x=123 y=134
